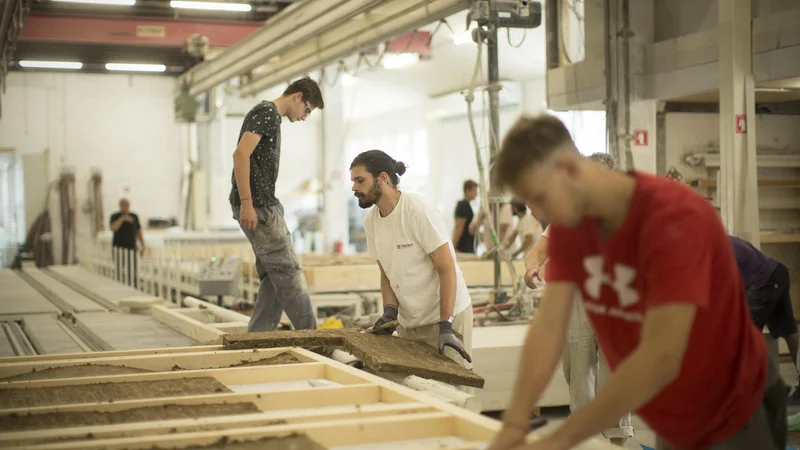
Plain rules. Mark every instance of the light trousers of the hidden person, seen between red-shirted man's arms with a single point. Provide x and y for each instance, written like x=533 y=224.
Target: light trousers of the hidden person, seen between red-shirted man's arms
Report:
x=586 y=369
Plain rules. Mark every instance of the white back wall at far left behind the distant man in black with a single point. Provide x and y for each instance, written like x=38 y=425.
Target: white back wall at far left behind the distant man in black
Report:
x=122 y=124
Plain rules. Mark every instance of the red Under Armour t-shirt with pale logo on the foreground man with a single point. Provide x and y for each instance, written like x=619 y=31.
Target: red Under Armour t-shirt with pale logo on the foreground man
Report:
x=671 y=247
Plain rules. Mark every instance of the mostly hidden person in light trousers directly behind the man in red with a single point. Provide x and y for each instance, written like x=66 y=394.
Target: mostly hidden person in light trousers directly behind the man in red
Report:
x=584 y=366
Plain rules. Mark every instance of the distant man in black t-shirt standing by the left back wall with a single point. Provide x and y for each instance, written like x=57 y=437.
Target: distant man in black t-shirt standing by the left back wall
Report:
x=127 y=230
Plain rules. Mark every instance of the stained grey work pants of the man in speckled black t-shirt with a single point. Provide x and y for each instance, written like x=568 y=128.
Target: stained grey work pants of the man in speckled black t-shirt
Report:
x=283 y=284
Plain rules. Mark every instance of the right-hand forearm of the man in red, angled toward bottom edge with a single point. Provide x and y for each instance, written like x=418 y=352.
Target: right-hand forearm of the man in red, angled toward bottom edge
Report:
x=636 y=381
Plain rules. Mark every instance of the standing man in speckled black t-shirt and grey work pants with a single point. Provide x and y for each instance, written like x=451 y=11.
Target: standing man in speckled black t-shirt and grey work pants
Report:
x=260 y=214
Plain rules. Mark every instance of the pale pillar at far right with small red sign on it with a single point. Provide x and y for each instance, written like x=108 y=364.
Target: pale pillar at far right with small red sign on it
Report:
x=738 y=191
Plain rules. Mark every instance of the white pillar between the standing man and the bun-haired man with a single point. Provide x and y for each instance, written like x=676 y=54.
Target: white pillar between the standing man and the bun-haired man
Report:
x=334 y=175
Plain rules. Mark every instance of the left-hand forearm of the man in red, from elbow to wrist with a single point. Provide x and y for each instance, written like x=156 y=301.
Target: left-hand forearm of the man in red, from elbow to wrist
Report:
x=540 y=355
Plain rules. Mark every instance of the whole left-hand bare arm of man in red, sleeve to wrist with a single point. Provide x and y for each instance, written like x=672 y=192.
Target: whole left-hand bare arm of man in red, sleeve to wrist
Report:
x=544 y=344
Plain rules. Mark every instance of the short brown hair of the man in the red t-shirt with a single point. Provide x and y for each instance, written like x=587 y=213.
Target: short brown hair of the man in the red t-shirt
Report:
x=529 y=141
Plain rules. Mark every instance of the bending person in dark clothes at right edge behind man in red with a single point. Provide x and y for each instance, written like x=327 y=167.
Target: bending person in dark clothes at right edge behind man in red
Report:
x=766 y=284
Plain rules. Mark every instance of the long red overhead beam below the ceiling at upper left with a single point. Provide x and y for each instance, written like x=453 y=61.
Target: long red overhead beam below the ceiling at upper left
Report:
x=131 y=30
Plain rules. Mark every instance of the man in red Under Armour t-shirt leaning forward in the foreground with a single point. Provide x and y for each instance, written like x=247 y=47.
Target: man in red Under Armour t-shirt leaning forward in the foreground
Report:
x=655 y=271
